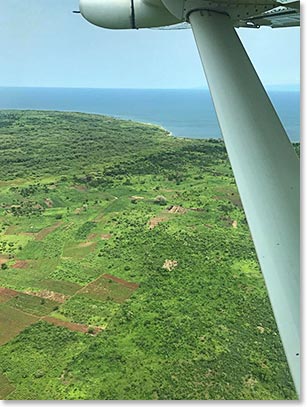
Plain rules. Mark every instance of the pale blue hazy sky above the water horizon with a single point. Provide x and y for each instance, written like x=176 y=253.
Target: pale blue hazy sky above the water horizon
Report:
x=44 y=44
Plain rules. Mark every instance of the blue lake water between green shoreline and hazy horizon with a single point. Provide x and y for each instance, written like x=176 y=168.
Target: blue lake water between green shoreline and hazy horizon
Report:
x=184 y=112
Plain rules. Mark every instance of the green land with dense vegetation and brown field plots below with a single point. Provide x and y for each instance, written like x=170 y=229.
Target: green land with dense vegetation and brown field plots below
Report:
x=127 y=267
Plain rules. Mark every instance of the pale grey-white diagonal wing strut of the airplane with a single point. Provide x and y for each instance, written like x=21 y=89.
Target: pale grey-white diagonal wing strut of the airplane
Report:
x=265 y=165
